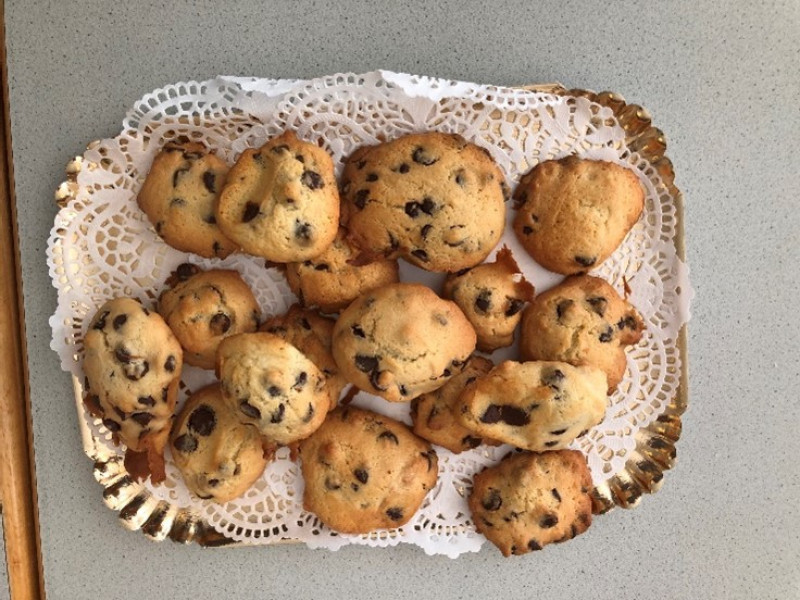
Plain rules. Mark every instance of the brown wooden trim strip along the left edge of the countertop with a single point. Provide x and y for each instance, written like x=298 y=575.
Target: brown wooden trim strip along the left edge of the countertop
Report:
x=17 y=479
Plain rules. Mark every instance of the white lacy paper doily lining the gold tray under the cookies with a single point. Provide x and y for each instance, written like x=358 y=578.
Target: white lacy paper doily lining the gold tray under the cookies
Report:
x=102 y=246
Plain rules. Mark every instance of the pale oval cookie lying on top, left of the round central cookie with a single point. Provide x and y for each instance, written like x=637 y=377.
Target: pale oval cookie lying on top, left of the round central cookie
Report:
x=271 y=384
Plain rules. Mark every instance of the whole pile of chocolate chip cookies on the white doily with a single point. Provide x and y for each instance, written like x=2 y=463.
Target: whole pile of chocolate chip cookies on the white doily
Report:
x=438 y=202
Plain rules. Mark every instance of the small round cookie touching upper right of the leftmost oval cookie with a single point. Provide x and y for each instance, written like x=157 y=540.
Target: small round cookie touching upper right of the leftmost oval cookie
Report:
x=204 y=307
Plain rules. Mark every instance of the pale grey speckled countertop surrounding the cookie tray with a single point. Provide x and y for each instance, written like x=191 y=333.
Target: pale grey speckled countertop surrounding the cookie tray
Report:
x=720 y=78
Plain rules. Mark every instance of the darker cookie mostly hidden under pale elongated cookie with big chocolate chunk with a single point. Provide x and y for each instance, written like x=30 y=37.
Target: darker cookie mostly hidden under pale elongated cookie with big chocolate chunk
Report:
x=433 y=416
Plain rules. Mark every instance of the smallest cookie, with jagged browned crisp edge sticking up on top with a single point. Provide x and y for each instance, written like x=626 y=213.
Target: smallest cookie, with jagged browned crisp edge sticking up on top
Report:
x=492 y=296
